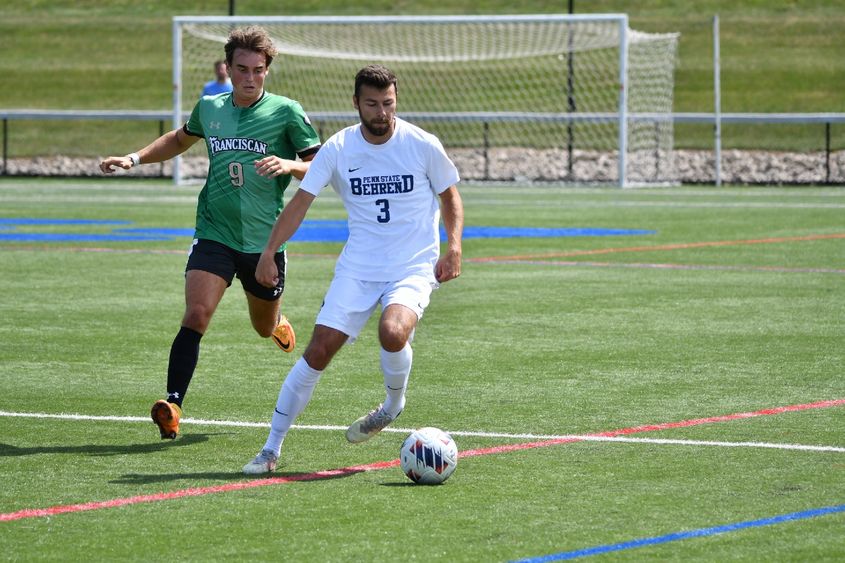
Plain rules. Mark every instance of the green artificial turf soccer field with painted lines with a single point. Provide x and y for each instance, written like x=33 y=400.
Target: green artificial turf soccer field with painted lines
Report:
x=735 y=303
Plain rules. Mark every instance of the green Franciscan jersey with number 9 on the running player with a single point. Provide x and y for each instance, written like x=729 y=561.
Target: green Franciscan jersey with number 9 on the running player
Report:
x=237 y=207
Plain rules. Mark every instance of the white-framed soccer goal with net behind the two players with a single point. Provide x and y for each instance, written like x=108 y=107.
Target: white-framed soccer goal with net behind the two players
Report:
x=570 y=99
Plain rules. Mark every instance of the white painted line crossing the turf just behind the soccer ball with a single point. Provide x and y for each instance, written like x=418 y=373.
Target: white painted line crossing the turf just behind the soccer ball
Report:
x=573 y=437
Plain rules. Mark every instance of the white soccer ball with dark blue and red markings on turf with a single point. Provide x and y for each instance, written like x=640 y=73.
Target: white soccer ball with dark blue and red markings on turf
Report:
x=428 y=456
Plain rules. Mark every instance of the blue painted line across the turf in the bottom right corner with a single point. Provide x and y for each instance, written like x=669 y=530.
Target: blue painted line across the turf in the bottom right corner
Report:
x=701 y=532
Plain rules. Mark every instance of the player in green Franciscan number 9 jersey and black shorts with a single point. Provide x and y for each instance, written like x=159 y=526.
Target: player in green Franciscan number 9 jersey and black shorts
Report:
x=253 y=139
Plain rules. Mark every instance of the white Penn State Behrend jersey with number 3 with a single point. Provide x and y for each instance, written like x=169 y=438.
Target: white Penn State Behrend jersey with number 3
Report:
x=390 y=194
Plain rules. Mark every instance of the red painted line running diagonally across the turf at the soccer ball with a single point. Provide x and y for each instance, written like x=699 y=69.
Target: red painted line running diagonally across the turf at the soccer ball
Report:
x=345 y=471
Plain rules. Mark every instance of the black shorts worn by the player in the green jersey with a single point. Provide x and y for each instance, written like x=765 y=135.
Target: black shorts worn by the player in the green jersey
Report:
x=217 y=258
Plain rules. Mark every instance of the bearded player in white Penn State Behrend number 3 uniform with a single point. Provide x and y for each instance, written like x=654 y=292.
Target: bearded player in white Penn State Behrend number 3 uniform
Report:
x=390 y=175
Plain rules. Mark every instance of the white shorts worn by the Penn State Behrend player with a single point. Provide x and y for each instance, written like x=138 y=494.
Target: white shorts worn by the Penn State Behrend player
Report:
x=349 y=303
